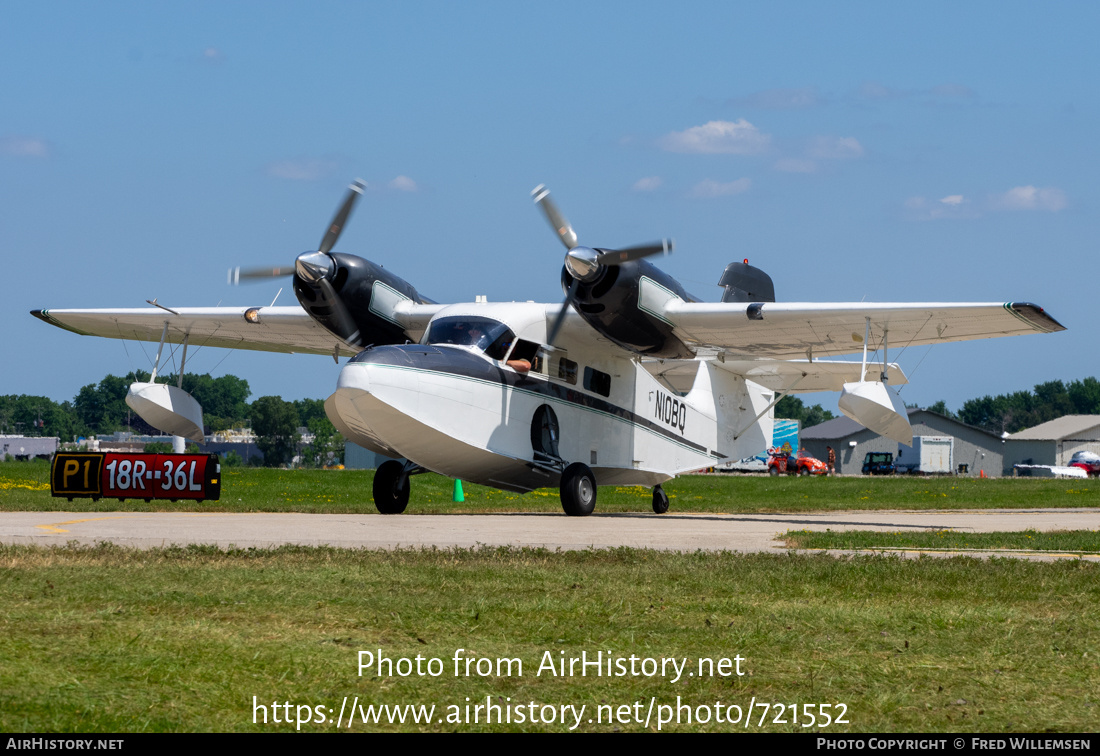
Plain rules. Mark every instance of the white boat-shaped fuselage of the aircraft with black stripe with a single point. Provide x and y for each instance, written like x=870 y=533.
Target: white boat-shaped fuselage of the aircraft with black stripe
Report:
x=455 y=410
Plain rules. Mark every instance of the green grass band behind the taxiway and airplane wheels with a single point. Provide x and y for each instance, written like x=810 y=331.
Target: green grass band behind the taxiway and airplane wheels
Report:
x=26 y=487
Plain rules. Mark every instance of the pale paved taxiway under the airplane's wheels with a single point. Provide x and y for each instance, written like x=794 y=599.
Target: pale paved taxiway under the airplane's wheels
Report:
x=670 y=532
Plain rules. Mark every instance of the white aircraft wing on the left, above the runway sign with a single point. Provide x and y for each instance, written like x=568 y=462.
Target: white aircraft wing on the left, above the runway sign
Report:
x=272 y=330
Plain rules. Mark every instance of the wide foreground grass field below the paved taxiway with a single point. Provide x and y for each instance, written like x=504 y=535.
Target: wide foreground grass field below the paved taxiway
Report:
x=112 y=640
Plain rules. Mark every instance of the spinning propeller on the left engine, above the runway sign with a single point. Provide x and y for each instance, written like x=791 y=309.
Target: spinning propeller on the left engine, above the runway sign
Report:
x=316 y=269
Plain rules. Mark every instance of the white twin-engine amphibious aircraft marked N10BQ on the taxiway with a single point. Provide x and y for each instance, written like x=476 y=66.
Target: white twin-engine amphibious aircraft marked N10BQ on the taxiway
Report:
x=630 y=382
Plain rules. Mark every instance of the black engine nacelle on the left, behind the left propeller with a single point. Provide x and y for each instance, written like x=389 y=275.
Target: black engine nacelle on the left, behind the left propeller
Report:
x=370 y=294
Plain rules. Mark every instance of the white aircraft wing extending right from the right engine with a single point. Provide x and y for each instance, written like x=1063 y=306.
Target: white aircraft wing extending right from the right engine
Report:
x=786 y=331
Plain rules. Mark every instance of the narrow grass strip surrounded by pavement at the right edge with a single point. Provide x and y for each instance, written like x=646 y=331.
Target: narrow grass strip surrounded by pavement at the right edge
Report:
x=1072 y=542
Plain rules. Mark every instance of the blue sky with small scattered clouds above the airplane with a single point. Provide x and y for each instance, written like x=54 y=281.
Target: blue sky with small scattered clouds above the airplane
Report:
x=892 y=152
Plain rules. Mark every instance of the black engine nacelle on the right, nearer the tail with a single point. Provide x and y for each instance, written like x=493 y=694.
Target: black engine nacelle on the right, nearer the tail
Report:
x=611 y=304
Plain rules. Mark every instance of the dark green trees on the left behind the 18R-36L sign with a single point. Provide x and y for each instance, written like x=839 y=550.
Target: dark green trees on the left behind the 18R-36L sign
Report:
x=101 y=410
